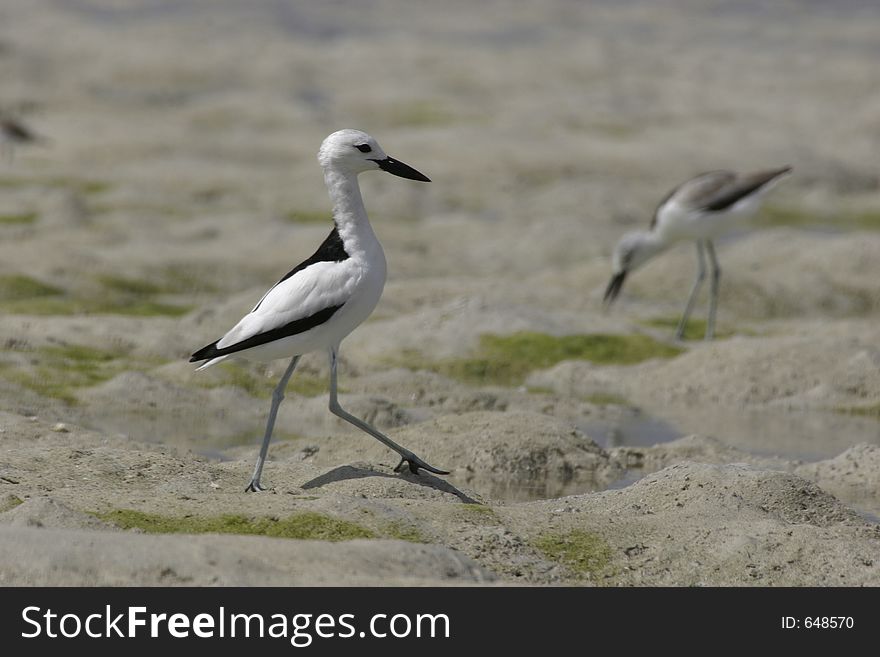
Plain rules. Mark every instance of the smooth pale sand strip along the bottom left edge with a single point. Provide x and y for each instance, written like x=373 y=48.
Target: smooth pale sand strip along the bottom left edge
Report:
x=56 y=557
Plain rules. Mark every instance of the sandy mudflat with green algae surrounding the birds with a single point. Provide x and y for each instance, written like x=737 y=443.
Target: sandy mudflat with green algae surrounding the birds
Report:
x=181 y=181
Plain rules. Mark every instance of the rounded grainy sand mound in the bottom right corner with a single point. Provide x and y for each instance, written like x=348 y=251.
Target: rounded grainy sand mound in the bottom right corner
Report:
x=702 y=524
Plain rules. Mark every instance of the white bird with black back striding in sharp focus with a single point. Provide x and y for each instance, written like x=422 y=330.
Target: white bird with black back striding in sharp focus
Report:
x=324 y=298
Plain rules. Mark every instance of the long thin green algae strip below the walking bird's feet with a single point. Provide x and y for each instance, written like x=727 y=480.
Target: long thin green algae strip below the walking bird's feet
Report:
x=308 y=525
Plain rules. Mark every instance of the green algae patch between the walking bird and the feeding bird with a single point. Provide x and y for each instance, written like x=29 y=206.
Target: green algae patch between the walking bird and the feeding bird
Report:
x=507 y=359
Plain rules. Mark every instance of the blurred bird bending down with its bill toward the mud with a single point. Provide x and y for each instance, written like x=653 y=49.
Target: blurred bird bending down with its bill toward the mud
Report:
x=699 y=210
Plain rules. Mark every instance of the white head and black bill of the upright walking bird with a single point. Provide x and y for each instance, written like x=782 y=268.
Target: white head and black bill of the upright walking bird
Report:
x=354 y=151
